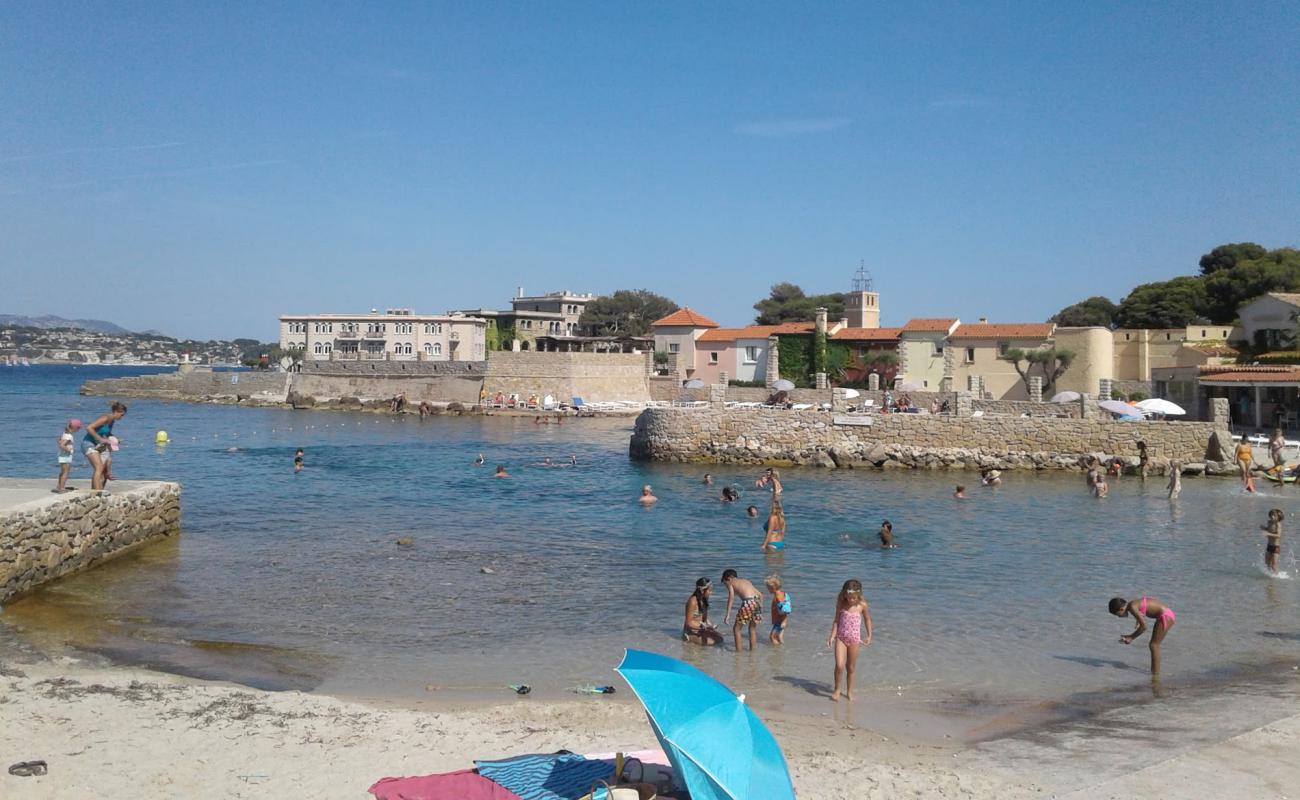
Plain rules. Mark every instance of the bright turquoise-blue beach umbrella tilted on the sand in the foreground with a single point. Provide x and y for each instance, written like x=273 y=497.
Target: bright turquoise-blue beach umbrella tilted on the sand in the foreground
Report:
x=718 y=747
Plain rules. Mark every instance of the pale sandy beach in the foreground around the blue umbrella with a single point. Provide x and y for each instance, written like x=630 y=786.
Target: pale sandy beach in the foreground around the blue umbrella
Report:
x=128 y=733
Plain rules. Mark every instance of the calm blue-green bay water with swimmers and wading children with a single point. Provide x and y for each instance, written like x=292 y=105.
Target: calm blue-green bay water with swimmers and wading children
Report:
x=283 y=580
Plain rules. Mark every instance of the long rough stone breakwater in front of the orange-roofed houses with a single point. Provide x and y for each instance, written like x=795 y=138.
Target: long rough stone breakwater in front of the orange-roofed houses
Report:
x=918 y=442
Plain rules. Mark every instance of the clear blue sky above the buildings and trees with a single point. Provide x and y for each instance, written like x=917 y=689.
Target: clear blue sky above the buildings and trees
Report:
x=203 y=168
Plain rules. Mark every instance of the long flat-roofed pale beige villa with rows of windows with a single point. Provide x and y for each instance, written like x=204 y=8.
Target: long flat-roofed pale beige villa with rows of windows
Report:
x=397 y=335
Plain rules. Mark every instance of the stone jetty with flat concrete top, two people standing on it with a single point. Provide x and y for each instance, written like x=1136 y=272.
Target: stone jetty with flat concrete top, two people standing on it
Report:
x=45 y=537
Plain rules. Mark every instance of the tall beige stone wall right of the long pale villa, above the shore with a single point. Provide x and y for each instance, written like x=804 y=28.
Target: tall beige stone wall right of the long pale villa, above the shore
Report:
x=593 y=377
